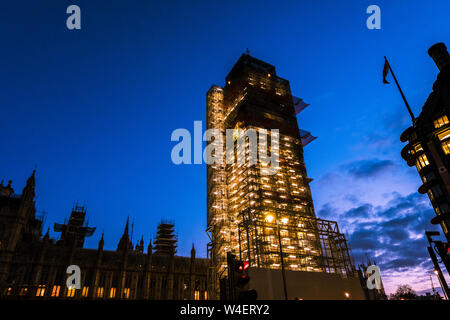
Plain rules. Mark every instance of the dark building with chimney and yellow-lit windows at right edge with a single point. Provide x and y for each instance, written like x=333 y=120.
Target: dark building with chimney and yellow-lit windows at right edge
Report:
x=428 y=140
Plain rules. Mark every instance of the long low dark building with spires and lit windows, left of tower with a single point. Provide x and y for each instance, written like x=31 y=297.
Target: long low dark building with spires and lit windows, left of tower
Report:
x=32 y=266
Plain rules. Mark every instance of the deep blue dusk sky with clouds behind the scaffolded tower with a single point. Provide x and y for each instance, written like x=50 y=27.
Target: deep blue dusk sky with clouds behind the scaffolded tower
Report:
x=94 y=110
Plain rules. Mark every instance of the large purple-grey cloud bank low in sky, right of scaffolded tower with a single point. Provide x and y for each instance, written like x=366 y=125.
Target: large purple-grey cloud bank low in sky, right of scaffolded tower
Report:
x=392 y=234
